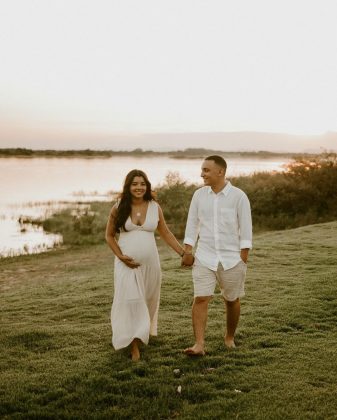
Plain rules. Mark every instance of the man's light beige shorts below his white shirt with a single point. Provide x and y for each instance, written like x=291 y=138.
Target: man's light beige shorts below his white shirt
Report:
x=231 y=282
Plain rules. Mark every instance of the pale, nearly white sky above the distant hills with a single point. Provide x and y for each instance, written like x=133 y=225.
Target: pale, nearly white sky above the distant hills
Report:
x=80 y=69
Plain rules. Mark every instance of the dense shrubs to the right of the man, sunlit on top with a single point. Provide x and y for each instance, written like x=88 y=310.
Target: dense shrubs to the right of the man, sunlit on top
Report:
x=305 y=193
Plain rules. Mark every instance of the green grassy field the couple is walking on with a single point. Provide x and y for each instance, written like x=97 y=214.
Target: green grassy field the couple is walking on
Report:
x=57 y=360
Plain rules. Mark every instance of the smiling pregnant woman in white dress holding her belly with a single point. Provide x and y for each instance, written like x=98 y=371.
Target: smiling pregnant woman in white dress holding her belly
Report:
x=137 y=273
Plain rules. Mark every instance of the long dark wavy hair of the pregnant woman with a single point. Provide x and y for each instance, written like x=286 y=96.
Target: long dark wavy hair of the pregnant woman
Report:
x=124 y=207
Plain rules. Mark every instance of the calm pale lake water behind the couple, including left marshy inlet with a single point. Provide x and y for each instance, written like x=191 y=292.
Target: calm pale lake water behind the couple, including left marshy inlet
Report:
x=34 y=187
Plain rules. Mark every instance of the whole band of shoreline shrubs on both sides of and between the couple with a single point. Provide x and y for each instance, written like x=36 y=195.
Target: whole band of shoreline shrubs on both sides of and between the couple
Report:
x=305 y=193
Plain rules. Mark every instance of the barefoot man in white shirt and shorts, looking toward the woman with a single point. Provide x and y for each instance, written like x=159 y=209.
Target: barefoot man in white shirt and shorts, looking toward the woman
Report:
x=220 y=215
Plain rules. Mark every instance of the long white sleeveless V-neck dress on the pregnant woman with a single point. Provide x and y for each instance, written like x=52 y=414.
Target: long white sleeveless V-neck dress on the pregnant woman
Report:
x=134 y=312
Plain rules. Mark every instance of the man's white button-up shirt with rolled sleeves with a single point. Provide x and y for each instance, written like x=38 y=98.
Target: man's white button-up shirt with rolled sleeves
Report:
x=223 y=223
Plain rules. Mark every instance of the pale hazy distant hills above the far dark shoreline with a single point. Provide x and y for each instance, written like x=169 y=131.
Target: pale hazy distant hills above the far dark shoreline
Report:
x=164 y=142
